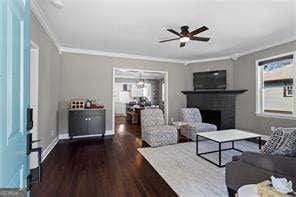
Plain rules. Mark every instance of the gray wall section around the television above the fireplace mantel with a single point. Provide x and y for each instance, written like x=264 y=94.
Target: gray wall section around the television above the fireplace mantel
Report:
x=210 y=66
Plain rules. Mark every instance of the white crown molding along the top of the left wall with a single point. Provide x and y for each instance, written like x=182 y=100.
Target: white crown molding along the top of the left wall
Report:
x=39 y=14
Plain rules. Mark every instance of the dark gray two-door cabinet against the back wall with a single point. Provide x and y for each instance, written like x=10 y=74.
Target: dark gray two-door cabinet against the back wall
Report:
x=86 y=122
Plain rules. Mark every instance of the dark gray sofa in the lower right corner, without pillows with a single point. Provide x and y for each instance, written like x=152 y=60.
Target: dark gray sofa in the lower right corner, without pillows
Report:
x=253 y=168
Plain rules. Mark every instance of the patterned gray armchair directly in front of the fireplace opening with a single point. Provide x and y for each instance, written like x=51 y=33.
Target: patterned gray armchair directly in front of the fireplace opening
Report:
x=193 y=118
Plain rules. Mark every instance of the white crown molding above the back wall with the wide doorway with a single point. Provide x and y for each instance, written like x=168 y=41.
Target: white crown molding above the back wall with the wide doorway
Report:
x=120 y=55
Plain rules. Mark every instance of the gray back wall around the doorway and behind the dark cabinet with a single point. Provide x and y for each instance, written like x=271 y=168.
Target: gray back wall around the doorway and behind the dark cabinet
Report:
x=90 y=75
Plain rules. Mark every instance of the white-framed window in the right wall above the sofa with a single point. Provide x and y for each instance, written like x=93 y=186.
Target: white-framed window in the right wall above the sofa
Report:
x=275 y=86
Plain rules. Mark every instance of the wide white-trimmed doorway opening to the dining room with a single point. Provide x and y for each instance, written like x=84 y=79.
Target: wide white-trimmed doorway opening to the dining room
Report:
x=135 y=90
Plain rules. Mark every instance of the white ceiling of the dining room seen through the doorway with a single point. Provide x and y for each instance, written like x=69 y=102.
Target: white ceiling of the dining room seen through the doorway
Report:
x=134 y=74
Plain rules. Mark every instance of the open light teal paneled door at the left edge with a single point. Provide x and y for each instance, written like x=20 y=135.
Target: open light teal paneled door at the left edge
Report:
x=14 y=91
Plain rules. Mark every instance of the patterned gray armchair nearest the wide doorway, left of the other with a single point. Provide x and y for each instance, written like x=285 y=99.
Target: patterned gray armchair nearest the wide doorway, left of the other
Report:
x=154 y=130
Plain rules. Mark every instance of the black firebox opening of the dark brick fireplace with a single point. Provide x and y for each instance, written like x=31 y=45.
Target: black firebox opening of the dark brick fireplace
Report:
x=212 y=117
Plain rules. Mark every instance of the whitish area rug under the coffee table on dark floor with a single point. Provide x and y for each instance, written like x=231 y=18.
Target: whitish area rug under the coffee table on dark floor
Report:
x=189 y=175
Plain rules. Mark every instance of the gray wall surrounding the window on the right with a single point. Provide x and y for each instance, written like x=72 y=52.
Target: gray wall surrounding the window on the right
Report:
x=245 y=78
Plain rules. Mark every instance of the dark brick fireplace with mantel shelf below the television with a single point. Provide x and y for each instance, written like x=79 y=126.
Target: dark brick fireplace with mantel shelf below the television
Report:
x=216 y=106
